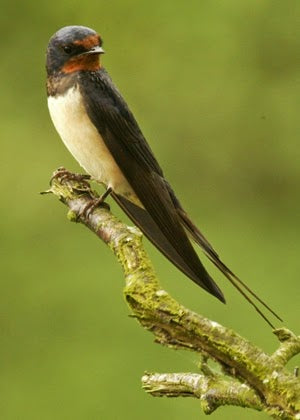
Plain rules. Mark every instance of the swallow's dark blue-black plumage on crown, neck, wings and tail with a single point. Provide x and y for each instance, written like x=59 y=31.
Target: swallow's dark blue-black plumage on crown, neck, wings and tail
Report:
x=161 y=218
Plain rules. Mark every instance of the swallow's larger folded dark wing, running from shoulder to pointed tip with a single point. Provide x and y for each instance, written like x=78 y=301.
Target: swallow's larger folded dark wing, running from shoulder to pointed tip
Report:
x=121 y=134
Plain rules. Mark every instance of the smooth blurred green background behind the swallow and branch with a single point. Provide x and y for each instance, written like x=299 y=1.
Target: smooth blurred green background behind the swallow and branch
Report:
x=215 y=87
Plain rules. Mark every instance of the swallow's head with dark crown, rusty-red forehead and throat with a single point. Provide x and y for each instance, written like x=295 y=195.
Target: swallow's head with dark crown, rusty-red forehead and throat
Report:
x=73 y=48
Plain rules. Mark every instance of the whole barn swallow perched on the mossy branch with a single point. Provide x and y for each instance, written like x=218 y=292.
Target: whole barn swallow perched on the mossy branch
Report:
x=102 y=134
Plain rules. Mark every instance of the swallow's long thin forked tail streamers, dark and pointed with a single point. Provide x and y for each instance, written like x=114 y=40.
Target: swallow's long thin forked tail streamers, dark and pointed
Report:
x=214 y=258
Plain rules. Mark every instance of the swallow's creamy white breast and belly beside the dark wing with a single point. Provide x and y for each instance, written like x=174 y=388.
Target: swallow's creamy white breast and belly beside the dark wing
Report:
x=84 y=141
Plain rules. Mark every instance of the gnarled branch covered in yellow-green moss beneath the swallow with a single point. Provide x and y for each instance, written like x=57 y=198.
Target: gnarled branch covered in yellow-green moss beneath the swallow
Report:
x=251 y=378
